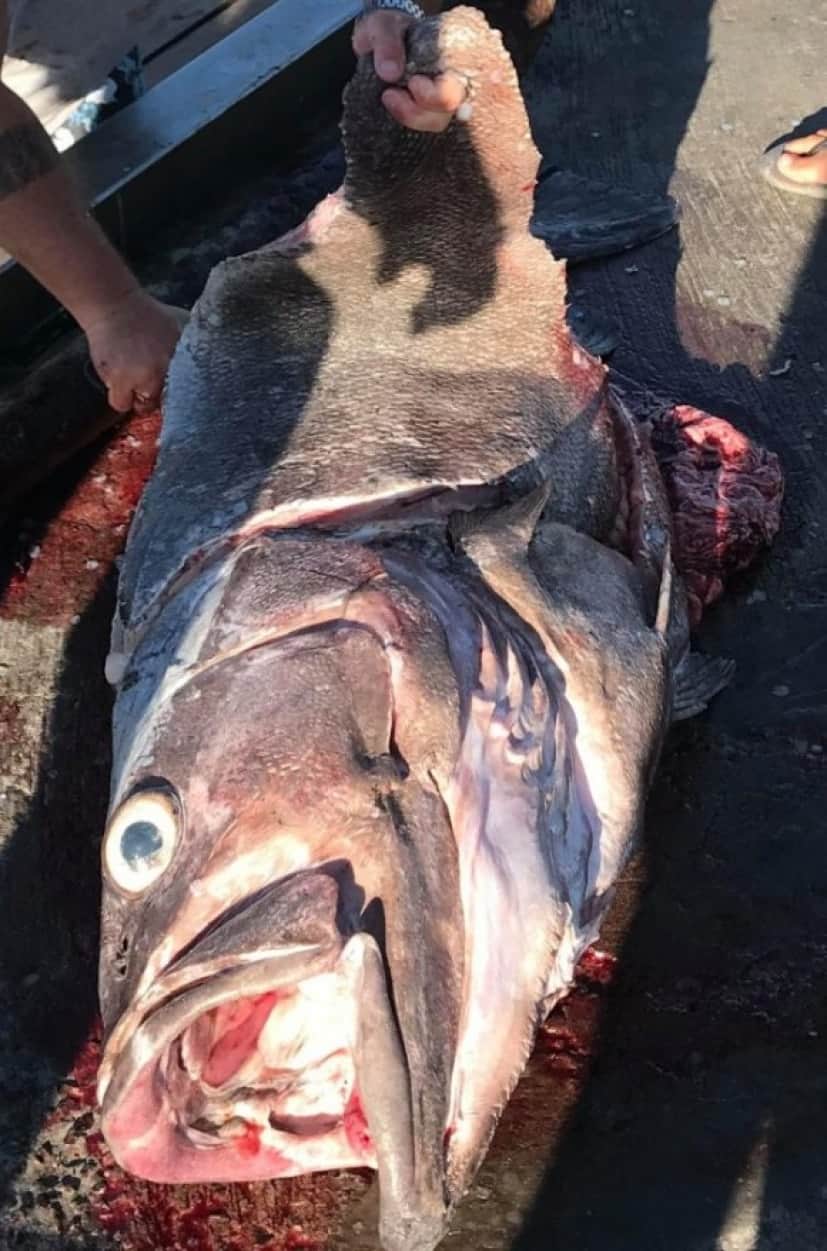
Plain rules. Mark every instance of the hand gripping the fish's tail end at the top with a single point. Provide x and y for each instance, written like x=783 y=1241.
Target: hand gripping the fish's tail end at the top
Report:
x=424 y=104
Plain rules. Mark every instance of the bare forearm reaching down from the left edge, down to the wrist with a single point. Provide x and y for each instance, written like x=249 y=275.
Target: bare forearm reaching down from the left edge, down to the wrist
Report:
x=44 y=225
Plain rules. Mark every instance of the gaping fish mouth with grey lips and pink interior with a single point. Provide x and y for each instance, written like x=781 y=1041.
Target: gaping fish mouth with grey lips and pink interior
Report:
x=247 y=1064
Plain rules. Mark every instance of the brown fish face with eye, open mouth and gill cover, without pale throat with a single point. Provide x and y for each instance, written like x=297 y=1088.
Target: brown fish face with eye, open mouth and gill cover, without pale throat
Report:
x=282 y=936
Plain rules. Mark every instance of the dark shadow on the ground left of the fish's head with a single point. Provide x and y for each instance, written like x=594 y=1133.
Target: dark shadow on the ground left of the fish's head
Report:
x=49 y=894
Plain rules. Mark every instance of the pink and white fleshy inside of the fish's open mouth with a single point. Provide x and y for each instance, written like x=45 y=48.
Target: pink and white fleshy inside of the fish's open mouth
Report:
x=256 y=1089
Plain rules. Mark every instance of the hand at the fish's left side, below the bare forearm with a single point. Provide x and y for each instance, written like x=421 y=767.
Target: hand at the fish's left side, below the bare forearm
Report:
x=131 y=345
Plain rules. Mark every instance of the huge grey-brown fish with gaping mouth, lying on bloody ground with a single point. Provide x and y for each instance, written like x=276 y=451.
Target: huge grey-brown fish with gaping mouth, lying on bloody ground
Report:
x=398 y=642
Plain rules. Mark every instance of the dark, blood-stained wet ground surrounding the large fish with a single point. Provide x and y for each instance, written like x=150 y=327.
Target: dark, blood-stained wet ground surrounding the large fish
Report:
x=679 y=1099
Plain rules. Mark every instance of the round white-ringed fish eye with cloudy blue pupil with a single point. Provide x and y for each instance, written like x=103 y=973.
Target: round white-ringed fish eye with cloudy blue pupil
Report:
x=141 y=841
